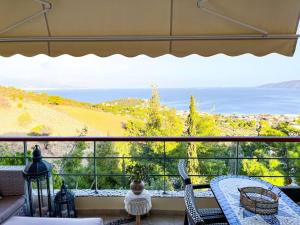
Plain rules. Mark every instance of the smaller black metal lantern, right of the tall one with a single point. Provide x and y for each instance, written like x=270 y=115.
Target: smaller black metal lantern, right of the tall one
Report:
x=64 y=203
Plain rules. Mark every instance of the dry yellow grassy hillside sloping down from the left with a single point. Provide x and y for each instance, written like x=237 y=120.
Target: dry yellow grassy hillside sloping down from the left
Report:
x=22 y=113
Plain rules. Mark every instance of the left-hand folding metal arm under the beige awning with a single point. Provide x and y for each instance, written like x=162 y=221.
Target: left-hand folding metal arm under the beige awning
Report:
x=46 y=8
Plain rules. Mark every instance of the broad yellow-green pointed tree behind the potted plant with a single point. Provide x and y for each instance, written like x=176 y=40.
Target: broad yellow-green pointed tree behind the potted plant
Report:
x=157 y=121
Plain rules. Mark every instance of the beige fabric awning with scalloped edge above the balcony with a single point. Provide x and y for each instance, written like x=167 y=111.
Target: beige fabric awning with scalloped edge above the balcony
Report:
x=150 y=27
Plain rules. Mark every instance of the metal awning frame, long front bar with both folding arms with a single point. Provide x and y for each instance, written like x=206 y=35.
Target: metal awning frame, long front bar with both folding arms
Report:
x=47 y=6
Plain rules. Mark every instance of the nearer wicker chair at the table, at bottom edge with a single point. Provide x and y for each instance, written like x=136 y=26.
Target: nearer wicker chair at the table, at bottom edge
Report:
x=193 y=214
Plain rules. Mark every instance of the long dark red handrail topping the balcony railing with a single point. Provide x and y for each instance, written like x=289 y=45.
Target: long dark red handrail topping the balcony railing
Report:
x=152 y=138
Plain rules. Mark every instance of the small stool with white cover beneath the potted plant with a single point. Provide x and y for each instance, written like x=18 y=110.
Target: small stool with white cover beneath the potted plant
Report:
x=138 y=205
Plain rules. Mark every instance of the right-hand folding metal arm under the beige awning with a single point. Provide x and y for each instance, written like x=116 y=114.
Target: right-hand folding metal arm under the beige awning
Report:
x=200 y=4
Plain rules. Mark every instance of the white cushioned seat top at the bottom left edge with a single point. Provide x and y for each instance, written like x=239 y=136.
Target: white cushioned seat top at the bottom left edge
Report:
x=17 y=220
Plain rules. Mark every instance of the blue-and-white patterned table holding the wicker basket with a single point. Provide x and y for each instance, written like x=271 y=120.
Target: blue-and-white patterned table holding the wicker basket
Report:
x=225 y=189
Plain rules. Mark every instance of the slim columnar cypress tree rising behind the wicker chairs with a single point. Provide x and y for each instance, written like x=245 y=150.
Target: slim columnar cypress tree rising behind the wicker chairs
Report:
x=193 y=165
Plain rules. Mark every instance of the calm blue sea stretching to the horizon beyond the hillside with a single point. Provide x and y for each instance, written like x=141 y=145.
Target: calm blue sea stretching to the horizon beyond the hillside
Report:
x=244 y=101
